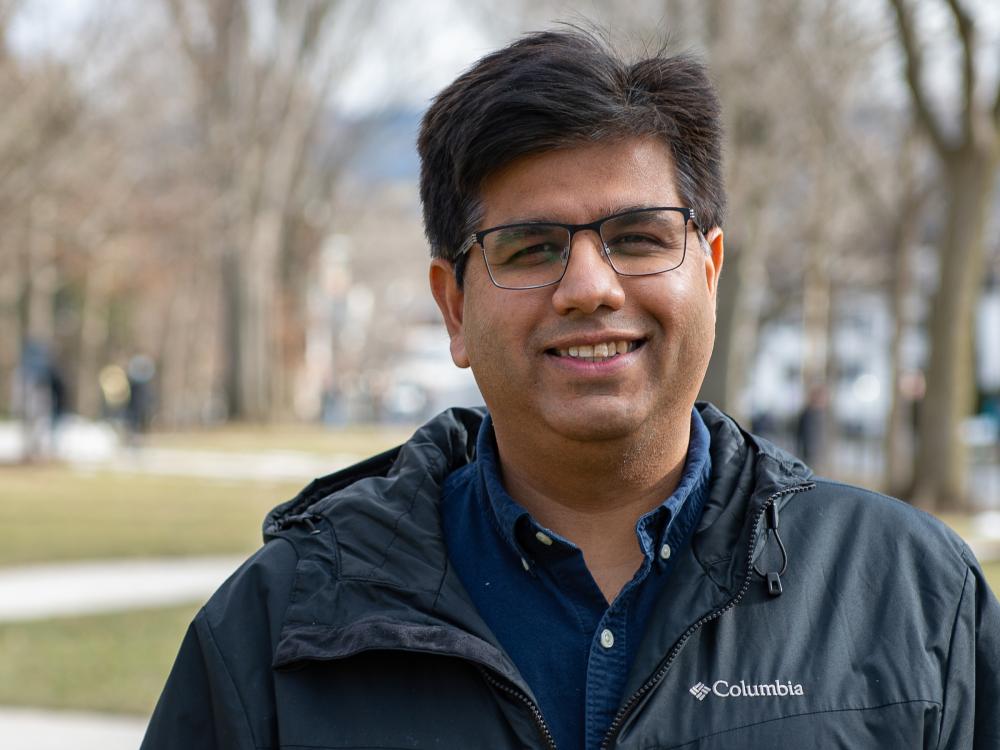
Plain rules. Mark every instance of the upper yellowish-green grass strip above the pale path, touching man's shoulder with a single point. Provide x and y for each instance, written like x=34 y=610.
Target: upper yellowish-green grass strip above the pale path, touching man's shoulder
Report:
x=55 y=514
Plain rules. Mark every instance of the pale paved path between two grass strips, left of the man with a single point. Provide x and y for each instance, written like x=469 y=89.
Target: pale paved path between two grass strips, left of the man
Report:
x=34 y=592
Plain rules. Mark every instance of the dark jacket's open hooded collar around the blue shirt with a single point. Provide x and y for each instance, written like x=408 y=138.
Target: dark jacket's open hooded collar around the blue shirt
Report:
x=373 y=570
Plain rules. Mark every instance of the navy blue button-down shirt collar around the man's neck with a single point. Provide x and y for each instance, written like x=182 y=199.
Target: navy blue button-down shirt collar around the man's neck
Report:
x=519 y=530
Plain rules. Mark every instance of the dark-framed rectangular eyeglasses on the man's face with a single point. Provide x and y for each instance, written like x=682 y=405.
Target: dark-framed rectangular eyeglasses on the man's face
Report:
x=641 y=242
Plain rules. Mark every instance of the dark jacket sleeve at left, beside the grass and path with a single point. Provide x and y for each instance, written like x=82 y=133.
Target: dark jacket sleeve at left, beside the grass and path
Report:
x=220 y=693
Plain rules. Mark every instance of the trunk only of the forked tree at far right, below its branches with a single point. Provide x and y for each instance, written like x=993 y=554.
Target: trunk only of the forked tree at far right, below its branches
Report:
x=940 y=476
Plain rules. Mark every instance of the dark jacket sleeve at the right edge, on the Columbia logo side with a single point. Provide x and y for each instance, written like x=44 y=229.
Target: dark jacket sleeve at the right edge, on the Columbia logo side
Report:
x=971 y=711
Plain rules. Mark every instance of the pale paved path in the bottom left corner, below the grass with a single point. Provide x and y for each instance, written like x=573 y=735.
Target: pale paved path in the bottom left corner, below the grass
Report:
x=32 y=729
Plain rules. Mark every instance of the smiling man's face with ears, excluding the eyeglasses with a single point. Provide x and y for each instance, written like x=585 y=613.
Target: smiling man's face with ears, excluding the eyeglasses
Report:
x=518 y=342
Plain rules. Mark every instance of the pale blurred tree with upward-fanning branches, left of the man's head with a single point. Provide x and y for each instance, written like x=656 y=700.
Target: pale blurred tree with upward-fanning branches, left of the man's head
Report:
x=262 y=74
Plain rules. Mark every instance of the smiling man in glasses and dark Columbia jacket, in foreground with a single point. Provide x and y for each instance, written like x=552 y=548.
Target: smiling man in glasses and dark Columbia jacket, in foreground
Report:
x=596 y=561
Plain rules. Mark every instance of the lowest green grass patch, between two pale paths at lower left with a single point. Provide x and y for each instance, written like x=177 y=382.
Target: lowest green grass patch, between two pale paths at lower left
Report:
x=116 y=663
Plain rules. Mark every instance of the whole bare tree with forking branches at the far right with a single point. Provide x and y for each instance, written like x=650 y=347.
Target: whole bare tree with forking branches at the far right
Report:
x=968 y=152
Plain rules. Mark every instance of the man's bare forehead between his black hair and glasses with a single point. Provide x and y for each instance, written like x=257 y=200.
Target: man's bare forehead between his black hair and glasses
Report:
x=581 y=183
